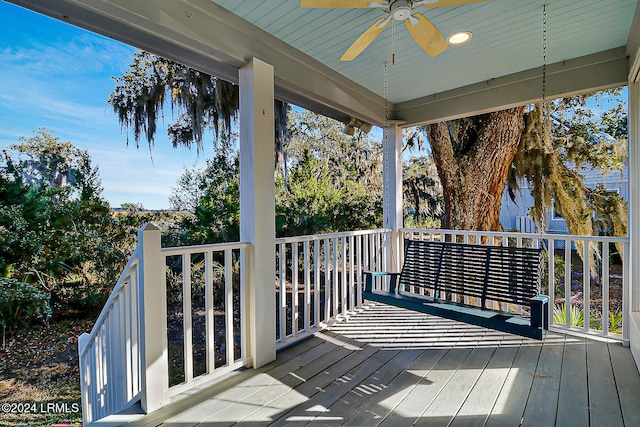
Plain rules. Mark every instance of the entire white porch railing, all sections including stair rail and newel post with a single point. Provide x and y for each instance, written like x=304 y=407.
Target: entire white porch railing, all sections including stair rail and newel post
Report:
x=192 y=301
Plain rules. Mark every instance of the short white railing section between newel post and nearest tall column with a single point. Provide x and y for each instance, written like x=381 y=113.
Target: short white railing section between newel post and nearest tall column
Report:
x=206 y=313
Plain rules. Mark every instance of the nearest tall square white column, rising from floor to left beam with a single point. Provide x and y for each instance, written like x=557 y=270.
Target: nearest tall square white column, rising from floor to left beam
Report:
x=257 y=206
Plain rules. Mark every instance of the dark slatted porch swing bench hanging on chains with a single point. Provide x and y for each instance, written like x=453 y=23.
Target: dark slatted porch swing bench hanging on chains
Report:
x=448 y=275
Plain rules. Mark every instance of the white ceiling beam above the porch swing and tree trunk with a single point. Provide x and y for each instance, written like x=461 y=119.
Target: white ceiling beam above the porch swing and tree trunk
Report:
x=598 y=71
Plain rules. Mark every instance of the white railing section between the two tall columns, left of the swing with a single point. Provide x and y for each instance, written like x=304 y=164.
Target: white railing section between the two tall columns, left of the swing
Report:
x=318 y=278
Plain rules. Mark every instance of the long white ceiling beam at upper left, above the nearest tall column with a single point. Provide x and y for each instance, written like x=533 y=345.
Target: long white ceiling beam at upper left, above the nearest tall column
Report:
x=208 y=37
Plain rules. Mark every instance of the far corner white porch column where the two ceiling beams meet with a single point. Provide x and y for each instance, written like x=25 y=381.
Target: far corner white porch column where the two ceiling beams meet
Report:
x=392 y=192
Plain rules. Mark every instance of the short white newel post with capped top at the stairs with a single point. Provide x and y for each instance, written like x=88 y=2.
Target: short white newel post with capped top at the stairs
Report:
x=155 y=363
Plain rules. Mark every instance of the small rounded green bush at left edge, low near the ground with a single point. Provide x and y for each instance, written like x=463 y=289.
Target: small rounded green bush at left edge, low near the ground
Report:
x=22 y=304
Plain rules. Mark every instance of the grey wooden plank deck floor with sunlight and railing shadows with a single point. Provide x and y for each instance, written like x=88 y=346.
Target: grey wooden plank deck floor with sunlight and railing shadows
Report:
x=392 y=367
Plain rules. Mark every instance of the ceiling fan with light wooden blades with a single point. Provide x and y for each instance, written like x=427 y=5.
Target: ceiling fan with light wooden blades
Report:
x=426 y=35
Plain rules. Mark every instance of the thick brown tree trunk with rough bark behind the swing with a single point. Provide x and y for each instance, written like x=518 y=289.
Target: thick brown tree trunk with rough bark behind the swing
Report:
x=473 y=157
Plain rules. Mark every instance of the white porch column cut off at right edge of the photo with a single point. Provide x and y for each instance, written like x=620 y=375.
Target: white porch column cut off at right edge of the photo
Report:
x=634 y=217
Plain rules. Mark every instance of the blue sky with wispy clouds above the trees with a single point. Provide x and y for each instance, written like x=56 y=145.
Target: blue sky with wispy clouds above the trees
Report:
x=58 y=76
